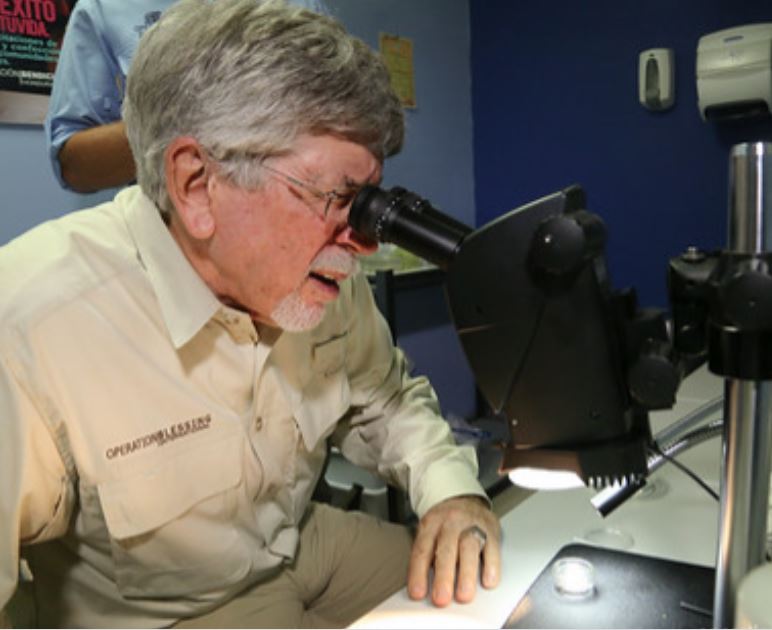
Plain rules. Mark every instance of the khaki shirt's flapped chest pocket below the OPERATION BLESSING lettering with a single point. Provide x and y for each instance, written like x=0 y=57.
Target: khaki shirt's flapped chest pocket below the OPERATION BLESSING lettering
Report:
x=172 y=528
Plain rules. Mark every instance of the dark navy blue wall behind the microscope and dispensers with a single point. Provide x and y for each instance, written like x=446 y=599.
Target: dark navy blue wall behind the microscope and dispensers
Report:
x=555 y=102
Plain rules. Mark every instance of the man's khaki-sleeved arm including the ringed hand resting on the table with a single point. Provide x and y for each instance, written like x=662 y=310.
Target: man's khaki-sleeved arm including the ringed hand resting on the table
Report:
x=396 y=431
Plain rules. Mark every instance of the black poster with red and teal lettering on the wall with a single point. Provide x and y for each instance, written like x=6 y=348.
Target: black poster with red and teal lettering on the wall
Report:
x=31 y=33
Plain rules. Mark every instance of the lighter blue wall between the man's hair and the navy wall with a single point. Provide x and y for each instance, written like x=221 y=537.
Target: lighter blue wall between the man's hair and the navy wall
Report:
x=436 y=160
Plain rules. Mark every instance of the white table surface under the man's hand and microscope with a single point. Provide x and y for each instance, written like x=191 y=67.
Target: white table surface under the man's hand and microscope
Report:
x=671 y=518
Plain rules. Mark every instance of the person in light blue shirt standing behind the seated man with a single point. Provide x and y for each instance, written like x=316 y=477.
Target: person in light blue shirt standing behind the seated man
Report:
x=85 y=135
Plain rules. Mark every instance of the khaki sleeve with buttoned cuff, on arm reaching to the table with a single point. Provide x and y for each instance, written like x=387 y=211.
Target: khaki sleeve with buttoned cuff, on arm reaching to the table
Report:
x=396 y=428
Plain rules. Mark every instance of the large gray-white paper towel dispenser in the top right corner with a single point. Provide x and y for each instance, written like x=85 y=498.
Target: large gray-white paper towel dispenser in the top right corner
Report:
x=734 y=73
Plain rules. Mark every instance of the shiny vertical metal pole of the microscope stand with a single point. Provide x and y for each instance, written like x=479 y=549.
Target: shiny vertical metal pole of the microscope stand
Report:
x=747 y=433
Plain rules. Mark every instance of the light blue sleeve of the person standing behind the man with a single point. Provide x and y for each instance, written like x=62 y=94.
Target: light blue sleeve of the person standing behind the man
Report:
x=88 y=82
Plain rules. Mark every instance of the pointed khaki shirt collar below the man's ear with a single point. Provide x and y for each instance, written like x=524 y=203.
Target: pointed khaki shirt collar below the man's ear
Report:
x=185 y=300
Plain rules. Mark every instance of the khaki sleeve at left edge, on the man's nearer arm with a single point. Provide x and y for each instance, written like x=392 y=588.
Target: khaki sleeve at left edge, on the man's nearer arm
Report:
x=36 y=495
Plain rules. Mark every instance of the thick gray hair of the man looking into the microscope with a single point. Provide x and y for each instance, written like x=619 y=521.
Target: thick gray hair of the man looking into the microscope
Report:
x=246 y=79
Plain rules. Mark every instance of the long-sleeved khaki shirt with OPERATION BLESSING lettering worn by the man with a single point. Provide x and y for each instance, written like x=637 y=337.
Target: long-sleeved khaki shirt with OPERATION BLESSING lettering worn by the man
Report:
x=158 y=450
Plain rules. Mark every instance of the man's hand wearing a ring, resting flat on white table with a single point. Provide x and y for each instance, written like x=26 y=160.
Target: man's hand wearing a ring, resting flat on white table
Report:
x=450 y=537
